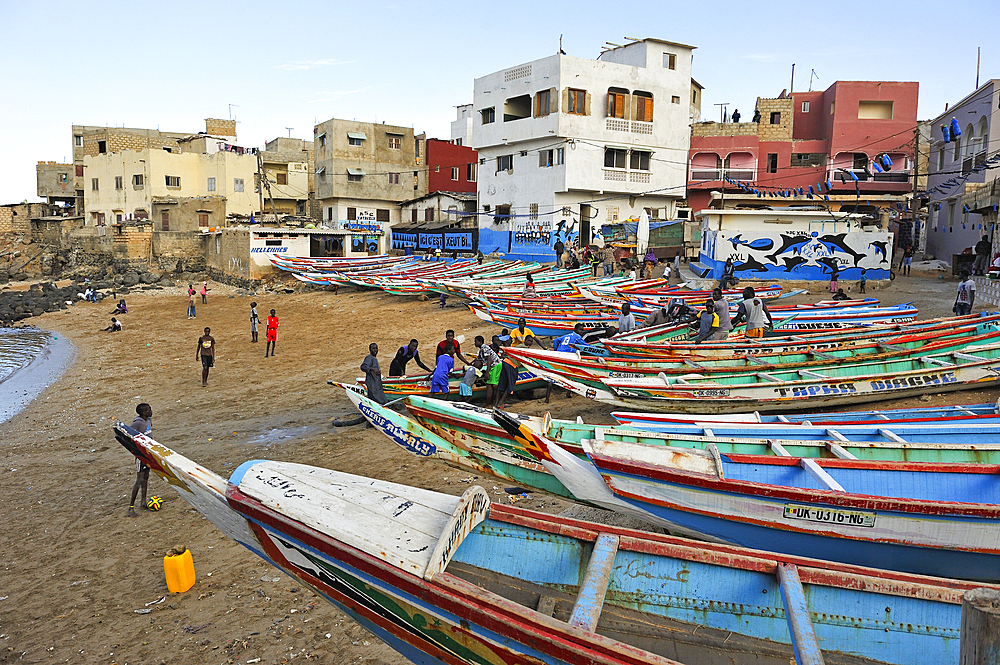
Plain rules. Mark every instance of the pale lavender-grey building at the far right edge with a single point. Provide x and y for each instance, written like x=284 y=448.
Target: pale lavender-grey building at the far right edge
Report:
x=960 y=175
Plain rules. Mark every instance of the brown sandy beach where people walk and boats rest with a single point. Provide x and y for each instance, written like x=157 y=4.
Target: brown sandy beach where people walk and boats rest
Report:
x=76 y=569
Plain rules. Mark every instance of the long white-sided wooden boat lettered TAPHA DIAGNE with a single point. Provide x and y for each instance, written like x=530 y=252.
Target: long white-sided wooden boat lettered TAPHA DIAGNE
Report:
x=779 y=390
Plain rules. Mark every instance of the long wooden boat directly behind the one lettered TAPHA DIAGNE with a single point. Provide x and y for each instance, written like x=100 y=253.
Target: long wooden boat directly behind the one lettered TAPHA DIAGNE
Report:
x=591 y=371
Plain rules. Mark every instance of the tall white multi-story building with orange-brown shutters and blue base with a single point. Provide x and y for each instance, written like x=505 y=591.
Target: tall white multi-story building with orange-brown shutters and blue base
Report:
x=566 y=144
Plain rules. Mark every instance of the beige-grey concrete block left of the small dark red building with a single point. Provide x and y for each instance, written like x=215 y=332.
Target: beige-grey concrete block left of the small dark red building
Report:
x=363 y=172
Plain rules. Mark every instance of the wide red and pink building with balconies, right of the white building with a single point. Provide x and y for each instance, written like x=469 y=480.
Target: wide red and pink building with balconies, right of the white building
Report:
x=809 y=138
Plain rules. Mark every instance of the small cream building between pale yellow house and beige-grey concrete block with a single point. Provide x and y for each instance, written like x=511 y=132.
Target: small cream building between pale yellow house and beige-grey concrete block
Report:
x=288 y=165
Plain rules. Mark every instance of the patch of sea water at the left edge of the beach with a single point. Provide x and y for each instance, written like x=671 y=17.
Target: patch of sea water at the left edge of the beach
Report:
x=30 y=360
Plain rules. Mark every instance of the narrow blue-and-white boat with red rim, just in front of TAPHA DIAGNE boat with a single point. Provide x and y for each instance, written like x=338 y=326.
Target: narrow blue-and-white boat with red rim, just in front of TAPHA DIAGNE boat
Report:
x=958 y=413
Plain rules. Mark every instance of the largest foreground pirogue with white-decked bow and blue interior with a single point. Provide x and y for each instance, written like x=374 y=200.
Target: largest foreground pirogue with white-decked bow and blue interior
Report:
x=457 y=580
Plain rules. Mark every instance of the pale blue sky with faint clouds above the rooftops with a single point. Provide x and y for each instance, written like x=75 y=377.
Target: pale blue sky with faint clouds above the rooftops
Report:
x=274 y=65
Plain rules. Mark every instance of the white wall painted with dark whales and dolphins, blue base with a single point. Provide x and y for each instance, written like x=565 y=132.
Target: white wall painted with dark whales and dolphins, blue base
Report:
x=808 y=255
